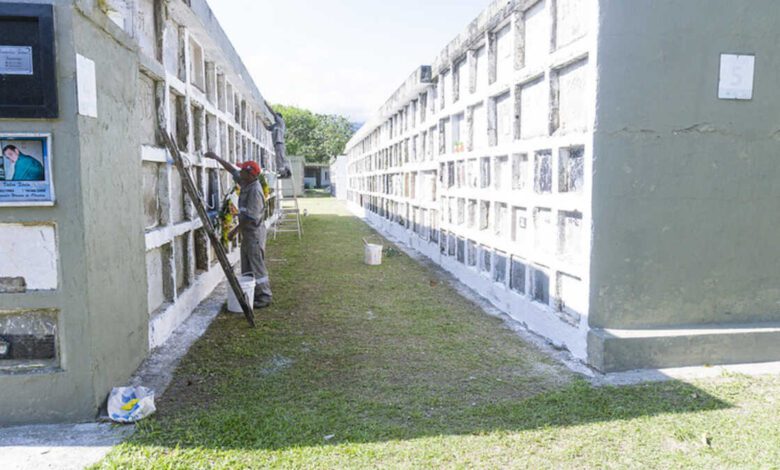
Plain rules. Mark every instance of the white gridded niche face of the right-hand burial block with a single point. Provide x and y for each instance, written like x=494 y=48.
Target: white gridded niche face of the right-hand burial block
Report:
x=482 y=162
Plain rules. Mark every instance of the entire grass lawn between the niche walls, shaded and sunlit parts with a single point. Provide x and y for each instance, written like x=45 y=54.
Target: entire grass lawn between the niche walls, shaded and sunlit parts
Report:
x=357 y=366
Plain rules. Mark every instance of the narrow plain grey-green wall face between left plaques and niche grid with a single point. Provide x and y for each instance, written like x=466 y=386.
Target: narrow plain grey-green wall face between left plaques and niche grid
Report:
x=113 y=212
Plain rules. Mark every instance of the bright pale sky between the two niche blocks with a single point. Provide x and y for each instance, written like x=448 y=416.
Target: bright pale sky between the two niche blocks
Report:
x=339 y=56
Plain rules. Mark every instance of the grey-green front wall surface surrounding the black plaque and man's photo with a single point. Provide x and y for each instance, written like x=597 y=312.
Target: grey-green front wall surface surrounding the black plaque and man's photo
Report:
x=32 y=395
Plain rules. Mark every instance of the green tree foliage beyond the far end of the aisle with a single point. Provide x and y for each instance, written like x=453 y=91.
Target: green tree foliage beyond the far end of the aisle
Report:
x=316 y=137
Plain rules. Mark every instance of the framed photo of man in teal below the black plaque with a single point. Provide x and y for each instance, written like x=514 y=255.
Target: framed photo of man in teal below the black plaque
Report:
x=25 y=170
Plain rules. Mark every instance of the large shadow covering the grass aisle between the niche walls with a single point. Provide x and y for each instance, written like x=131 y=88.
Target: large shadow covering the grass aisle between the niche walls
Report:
x=367 y=354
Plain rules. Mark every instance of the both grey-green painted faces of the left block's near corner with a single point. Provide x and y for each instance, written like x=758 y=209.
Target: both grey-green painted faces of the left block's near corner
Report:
x=101 y=297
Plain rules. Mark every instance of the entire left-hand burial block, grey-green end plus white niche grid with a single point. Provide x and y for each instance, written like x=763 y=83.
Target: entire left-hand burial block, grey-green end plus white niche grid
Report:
x=90 y=283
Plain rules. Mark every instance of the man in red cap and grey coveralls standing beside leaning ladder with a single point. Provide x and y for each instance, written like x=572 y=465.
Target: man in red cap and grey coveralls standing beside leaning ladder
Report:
x=251 y=225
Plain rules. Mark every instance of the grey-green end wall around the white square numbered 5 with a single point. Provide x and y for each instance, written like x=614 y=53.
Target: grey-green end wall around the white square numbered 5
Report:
x=685 y=197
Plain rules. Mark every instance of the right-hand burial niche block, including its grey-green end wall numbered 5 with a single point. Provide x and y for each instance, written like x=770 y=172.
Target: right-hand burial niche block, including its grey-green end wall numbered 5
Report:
x=608 y=174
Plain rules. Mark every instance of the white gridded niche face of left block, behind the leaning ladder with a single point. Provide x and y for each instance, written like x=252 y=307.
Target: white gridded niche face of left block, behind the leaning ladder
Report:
x=188 y=83
